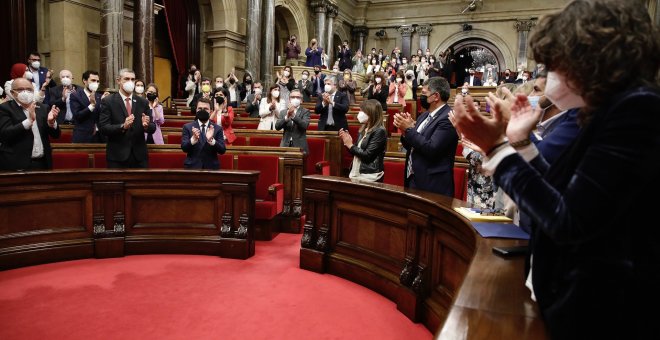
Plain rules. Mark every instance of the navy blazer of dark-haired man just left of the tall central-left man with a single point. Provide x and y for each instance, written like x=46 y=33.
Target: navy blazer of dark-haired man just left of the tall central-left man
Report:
x=86 y=121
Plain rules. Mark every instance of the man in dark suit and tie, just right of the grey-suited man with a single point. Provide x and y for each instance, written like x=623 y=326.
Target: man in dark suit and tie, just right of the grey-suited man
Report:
x=332 y=105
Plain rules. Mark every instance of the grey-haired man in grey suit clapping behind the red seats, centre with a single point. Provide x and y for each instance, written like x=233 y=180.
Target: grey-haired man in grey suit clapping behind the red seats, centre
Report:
x=294 y=121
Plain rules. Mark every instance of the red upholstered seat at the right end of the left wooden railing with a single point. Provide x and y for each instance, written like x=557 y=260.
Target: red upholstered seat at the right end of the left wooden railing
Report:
x=268 y=190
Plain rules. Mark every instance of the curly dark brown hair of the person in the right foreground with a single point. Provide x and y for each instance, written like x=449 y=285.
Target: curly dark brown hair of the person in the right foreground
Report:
x=603 y=47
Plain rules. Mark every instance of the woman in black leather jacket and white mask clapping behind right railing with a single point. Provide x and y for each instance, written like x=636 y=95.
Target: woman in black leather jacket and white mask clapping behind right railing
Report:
x=369 y=152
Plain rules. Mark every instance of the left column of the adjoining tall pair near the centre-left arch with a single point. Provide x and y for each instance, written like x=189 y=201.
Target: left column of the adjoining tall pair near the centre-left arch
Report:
x=253 y=40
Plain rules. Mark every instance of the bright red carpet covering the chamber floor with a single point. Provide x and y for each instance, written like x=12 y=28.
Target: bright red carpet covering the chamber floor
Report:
x=195 y=297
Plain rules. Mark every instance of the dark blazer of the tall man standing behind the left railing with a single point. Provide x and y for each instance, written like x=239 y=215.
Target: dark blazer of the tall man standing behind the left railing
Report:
x=121 y=143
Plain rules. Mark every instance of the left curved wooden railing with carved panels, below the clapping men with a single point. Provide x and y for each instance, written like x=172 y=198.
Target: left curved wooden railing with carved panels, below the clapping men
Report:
x=53 y=216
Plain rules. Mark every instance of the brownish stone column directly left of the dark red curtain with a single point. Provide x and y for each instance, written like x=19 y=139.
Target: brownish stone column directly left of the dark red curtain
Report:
x=143 y=40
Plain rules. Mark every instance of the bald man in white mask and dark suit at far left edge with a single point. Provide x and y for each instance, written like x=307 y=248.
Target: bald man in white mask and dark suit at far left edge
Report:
x=24 y=130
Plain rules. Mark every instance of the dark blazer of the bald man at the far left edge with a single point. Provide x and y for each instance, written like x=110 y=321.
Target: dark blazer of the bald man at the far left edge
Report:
x=16 y=142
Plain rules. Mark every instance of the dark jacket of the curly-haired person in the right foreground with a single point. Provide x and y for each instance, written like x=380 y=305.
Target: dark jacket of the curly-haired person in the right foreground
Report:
x=590 y=244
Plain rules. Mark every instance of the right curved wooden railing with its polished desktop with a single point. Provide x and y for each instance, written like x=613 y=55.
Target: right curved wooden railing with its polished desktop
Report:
x=411 y=247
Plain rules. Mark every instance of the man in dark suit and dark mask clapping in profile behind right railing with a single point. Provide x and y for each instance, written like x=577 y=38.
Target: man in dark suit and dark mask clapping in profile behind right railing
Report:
x=430 y=144
